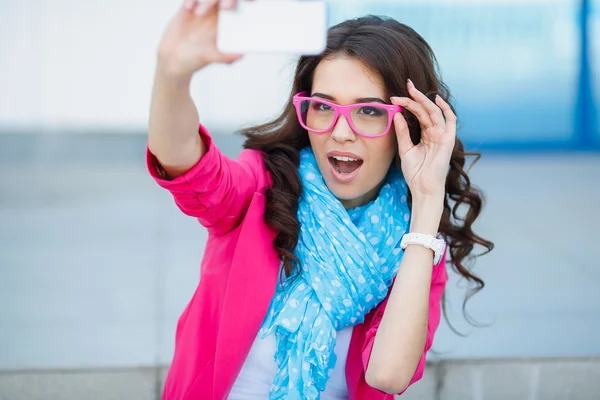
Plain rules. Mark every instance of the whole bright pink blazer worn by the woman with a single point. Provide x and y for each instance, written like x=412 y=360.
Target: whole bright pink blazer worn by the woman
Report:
x=239 y=272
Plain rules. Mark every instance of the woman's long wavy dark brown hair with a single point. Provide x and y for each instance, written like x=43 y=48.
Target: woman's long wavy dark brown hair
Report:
x=397 y=53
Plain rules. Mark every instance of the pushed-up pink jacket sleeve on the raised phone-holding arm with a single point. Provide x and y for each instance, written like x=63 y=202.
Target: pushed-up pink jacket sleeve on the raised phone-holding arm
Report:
x=217 y=190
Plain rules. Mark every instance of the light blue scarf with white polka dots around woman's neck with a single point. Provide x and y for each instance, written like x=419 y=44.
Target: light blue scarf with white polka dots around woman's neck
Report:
x=348 y=261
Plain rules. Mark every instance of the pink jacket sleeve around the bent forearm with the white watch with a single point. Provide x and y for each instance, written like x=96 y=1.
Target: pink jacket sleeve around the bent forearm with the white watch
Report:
x=438 y=285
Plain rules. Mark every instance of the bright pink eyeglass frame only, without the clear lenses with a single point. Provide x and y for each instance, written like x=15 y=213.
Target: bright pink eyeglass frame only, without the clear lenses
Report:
x=345 y=111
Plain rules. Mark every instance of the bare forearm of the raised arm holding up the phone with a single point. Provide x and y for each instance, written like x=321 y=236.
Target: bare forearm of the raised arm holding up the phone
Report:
x=173 y=127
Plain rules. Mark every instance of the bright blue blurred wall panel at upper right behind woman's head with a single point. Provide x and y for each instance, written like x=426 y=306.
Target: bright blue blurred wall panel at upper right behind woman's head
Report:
x=514 y=68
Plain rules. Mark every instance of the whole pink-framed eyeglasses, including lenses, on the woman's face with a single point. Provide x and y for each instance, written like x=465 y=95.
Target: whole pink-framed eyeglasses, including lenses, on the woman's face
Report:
x=365 y=119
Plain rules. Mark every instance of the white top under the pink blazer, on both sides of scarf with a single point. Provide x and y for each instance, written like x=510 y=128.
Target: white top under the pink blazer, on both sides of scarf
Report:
x=259 y=369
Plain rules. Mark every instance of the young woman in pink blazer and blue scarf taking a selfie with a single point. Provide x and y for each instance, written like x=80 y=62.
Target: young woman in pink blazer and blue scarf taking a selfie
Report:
x=324 y=270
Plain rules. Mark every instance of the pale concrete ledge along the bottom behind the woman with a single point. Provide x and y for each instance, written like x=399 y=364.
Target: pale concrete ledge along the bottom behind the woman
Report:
x=572 y=379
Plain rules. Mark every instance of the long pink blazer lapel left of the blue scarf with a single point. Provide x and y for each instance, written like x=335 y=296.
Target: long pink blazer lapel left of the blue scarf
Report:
x=250 y=288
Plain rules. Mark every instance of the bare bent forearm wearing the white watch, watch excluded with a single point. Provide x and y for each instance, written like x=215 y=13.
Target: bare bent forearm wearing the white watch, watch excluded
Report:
x=400 y=339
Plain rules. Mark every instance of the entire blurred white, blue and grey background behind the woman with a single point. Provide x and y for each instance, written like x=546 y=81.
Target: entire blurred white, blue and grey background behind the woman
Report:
x=97 y=263
